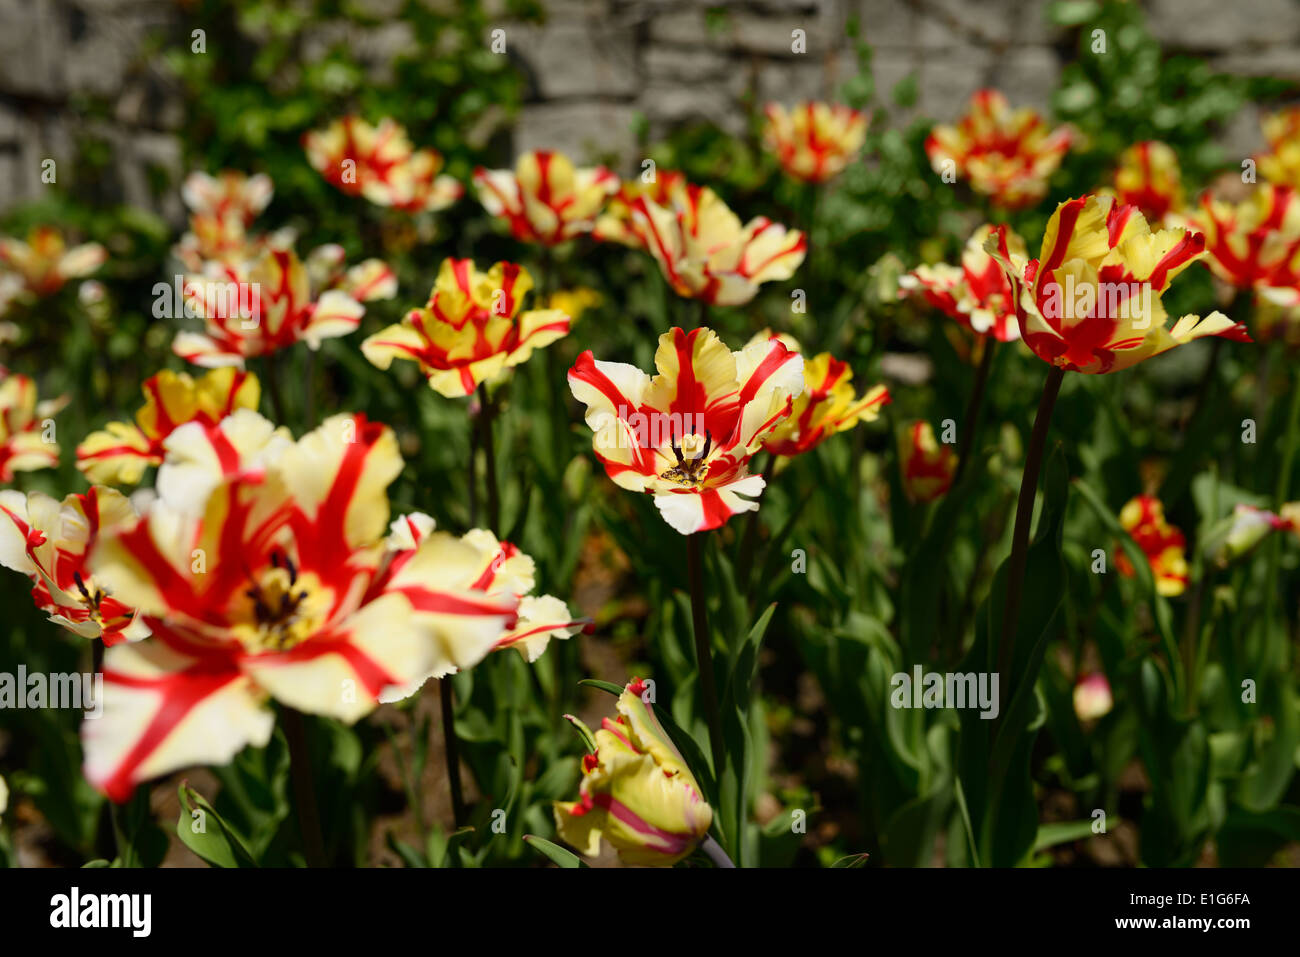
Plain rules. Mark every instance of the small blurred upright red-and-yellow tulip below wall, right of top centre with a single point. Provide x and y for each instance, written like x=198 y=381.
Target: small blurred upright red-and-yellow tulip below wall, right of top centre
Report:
x=814 y=141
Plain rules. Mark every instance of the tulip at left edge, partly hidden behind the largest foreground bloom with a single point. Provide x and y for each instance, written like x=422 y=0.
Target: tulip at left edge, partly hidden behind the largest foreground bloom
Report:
x=49 y=542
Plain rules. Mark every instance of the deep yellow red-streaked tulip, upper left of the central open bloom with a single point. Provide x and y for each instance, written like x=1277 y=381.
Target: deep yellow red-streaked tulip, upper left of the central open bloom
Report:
x=471 y=331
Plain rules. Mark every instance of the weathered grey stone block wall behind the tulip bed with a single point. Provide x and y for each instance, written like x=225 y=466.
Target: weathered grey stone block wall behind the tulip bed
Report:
x=597 y=67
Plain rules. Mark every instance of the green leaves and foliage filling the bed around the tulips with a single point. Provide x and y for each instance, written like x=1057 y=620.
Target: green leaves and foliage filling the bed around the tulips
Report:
x=805 y=653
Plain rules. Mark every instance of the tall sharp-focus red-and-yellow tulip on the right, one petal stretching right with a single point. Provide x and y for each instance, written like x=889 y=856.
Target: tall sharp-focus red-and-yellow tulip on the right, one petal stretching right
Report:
x=1093 y=301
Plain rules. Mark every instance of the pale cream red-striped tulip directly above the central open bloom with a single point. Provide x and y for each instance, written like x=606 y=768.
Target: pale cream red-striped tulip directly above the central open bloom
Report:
x=707 y=254
